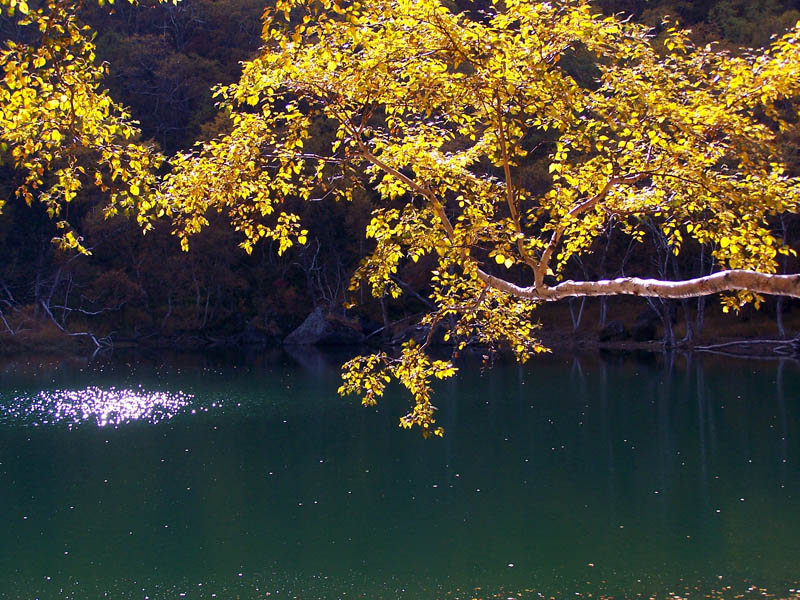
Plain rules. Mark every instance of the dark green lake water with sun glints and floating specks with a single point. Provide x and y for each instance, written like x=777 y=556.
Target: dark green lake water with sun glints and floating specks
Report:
x=247 y=477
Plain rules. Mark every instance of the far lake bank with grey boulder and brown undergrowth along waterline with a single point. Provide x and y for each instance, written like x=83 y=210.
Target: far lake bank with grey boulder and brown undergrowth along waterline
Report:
x=750 y=333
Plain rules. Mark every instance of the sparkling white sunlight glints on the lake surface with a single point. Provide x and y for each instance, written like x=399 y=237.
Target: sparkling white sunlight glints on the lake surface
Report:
x=93 y=405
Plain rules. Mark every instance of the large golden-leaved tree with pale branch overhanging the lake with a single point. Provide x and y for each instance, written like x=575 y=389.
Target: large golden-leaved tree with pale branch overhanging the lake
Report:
x=437 y=112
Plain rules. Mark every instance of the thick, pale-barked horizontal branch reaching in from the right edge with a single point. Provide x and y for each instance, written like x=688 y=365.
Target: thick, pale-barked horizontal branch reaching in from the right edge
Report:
x=723 y=281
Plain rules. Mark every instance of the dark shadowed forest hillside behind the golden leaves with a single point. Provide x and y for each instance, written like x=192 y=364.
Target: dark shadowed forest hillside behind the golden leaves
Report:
x=164 y=60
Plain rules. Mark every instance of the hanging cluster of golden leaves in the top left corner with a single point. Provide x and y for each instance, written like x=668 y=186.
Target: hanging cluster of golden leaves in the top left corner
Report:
x=60 y=129
